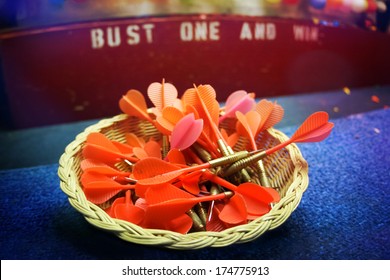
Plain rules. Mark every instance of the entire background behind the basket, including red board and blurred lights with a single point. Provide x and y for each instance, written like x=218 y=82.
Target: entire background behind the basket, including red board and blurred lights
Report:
x=66 y=63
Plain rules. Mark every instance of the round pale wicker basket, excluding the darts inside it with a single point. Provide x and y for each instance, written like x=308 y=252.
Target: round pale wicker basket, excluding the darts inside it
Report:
x=287 y=169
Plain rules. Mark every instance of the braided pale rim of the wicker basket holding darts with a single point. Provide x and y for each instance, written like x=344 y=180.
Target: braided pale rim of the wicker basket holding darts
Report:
x=127 y=231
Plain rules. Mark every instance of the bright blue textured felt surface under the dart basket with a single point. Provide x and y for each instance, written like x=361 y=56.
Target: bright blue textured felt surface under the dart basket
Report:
x=344 y=214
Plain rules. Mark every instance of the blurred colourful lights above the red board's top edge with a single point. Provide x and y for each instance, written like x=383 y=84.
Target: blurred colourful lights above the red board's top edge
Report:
x=37 y=13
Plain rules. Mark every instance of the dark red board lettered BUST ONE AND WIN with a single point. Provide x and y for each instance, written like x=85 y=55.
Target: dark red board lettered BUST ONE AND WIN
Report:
x=79 y=71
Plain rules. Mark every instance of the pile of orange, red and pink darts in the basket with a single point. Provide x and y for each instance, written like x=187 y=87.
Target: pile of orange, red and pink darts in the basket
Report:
x=205 y=171
